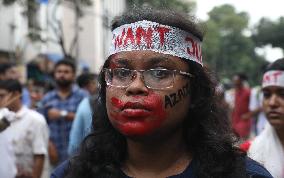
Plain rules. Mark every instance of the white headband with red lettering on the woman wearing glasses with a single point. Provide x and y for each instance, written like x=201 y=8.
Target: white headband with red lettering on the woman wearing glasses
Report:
x=147 y=35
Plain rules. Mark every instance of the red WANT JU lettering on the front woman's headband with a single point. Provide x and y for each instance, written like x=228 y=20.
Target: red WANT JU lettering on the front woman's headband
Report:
x=163 y=37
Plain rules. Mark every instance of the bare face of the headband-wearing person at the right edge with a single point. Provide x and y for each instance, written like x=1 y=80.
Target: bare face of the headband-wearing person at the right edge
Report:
x=273 y=105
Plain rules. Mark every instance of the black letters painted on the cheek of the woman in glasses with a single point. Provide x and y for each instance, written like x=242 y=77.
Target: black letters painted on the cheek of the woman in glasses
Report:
x=174 y=98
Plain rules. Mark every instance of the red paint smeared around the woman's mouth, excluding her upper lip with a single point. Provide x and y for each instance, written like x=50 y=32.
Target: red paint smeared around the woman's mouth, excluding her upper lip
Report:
x=140 y=125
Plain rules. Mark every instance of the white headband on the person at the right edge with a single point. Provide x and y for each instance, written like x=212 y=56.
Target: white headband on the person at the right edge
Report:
x=273 y=78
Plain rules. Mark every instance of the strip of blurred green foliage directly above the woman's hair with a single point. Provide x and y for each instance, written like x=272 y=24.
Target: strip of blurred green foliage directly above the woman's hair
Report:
x=180 y=5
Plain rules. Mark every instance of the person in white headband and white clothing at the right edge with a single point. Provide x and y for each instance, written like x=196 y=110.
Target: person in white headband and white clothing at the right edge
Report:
x=268 y=147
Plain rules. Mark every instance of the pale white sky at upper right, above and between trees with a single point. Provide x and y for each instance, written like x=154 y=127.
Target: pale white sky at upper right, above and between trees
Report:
x=256 y=9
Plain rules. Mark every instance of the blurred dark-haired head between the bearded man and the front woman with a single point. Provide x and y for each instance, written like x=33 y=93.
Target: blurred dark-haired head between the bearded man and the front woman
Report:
x=88 y=82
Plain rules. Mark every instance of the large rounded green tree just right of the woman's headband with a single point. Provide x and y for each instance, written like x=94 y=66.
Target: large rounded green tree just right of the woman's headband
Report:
x=226 y=49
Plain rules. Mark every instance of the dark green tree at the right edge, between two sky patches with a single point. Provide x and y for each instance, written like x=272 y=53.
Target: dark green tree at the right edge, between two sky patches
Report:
x=270 y=32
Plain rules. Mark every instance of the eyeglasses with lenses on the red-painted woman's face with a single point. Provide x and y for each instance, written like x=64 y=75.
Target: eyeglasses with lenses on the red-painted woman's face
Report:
x=152 y=78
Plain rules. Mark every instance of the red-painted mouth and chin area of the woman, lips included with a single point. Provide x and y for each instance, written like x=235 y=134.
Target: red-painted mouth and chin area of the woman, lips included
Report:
x=138 y=117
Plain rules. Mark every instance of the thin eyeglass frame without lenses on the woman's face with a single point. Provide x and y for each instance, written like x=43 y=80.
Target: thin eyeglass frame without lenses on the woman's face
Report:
x=175 y=72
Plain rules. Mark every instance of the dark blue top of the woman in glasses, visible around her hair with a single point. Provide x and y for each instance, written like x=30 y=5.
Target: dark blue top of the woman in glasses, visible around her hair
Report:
x=254 y=170
